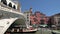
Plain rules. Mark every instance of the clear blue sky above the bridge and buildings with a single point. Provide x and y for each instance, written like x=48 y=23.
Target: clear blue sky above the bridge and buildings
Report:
x=48 y=7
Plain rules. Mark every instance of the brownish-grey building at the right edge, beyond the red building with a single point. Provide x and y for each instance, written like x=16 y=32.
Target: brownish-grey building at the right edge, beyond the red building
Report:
x=55 y=20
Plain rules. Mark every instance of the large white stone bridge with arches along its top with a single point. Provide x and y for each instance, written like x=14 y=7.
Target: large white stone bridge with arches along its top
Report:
x=9 y=14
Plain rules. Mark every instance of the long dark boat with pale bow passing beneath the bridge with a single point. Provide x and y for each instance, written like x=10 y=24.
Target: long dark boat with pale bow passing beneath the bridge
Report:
x=22 y=30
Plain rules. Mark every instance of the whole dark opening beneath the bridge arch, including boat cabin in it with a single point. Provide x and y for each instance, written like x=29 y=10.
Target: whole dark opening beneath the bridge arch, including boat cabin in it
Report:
x=16 y=26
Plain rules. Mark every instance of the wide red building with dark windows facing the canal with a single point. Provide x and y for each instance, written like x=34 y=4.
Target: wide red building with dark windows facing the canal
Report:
x=38 y=18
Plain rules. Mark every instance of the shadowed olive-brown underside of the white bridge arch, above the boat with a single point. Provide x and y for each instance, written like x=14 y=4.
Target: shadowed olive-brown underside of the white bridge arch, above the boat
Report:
x=17 y=22
